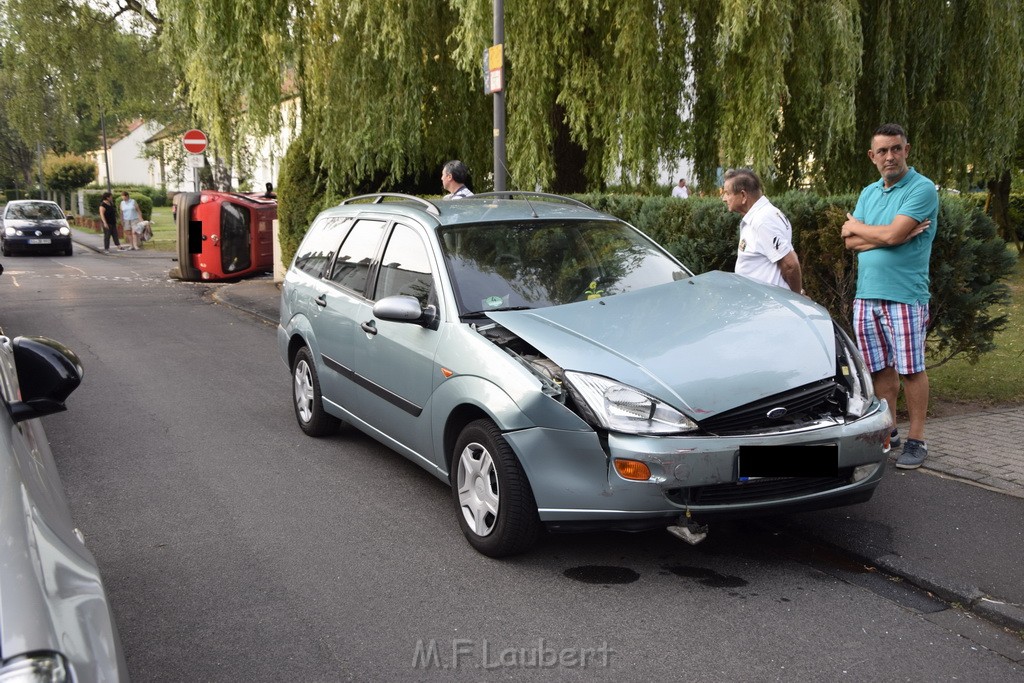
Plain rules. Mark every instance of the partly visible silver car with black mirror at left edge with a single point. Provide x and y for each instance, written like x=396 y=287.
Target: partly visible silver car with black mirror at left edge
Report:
x=56 y=623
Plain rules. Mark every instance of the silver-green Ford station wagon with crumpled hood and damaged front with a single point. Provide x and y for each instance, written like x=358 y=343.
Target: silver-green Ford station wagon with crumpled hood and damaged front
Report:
x=563 y=371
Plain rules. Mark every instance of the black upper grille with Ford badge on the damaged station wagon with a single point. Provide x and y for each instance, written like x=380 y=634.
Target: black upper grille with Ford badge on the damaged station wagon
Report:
x=802 y=405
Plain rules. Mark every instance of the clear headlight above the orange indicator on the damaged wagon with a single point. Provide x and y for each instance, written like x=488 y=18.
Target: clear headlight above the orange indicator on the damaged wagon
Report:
x=621 y=408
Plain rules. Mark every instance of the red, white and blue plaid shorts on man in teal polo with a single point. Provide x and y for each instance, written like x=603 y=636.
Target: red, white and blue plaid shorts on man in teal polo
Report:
x=891 y=334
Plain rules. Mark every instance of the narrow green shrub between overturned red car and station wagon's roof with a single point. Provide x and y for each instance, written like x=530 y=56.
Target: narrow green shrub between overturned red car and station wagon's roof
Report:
x=302 y=195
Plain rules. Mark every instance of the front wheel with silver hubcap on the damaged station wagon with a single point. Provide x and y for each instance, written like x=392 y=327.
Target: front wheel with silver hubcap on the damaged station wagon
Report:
x=493 y=498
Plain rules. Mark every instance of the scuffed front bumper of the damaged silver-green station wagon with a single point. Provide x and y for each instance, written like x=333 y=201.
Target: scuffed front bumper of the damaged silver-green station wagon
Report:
x=576 y=485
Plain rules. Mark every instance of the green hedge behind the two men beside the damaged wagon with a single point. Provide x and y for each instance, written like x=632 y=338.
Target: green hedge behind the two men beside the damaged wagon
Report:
x=969 y=264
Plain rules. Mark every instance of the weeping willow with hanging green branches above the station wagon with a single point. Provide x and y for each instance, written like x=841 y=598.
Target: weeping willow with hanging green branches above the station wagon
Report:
x=614 y=92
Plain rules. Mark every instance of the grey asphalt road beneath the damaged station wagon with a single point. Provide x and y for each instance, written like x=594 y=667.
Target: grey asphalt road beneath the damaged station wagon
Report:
x=236 y=548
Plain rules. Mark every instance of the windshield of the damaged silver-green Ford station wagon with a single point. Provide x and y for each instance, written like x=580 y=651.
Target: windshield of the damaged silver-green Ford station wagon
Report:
x=510 y=267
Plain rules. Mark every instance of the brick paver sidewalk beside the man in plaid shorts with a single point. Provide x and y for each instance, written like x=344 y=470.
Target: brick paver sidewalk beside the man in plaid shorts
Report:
x=987 y=448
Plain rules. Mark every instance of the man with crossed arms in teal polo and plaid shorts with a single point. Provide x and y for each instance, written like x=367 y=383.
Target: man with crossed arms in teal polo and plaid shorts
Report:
x=892 y=231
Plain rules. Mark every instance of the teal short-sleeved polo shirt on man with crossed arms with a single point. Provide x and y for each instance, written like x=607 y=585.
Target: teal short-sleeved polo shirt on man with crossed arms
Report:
x=898 y=274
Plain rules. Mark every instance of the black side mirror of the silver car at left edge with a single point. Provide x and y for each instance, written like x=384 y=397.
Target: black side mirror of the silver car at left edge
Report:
x=48 y=373
